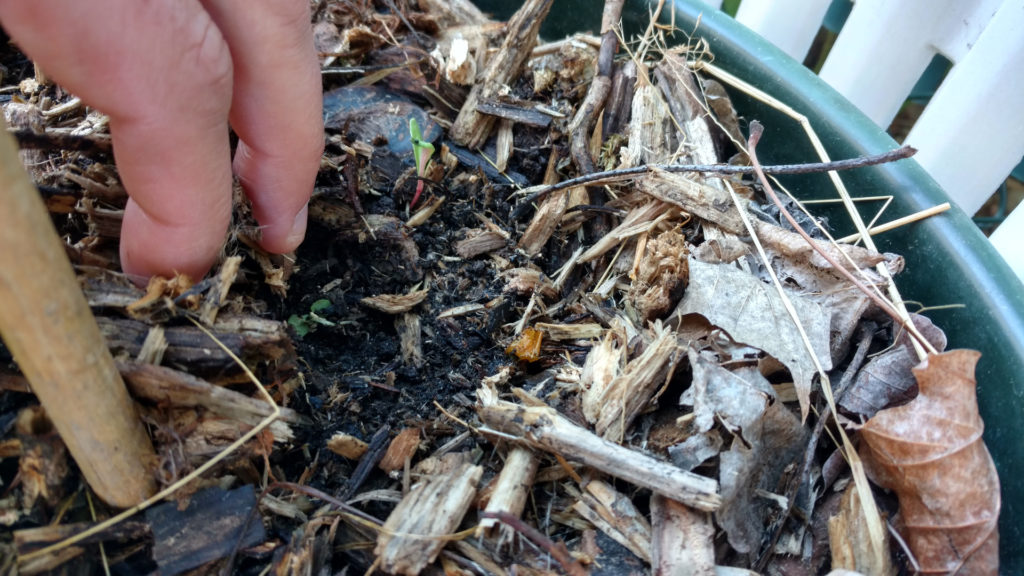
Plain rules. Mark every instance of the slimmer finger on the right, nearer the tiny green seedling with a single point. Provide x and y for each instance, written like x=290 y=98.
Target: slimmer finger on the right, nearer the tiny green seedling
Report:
x=277 y=111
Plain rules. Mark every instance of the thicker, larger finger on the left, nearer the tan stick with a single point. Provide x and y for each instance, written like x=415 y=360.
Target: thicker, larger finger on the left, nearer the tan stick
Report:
x=162 y=72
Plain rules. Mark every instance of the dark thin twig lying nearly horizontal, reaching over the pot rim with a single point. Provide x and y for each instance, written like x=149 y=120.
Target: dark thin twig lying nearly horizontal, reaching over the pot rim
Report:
x=723 y=170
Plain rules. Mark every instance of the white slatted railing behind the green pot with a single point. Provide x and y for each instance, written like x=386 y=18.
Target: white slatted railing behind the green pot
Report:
x=971 y=135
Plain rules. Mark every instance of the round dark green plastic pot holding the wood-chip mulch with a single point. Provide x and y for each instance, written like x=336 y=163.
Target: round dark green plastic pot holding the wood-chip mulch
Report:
x=949 y=261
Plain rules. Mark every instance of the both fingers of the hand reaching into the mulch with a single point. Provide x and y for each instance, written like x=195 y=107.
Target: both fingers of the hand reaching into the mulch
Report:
x=172 y=75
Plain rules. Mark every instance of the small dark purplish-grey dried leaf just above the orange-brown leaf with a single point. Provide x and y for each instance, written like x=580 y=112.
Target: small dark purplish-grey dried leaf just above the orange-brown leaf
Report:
x=886 y=381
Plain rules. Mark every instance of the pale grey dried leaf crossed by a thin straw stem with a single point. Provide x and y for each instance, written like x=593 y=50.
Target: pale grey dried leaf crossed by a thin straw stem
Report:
x=752 y=313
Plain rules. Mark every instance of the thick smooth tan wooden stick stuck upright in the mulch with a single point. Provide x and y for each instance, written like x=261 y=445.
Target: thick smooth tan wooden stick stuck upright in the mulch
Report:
x=49 y=327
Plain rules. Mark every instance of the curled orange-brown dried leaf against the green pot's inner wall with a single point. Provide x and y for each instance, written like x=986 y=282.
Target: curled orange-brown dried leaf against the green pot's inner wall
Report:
x=931 y=455
